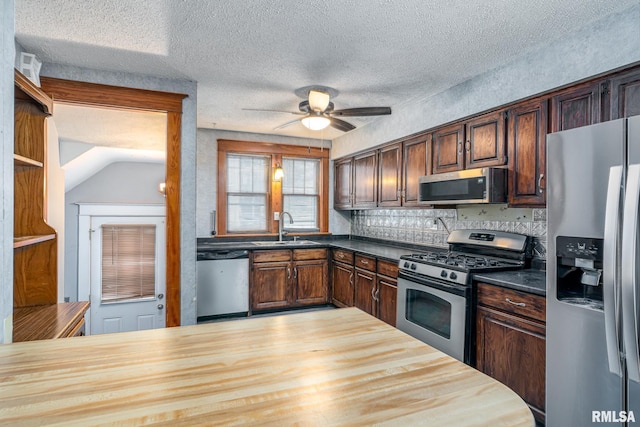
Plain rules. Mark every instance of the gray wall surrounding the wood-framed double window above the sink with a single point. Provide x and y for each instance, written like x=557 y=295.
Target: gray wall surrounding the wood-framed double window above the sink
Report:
x=207 y=173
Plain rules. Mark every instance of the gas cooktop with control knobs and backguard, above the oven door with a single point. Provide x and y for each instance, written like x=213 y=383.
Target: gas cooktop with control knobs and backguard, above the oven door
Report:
x=470 y=251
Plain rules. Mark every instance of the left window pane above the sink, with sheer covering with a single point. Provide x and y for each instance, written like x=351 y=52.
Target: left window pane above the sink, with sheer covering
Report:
x=247 y=193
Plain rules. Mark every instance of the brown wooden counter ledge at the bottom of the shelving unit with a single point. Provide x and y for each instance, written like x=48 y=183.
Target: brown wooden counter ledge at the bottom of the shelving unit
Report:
x=43 y=322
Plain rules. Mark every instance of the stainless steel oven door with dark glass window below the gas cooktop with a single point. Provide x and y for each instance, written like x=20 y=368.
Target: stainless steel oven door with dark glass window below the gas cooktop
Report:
x=435 y=312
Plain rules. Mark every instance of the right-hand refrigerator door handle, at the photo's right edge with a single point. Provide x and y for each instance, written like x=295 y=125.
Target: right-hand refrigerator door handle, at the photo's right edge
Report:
x=630 y=272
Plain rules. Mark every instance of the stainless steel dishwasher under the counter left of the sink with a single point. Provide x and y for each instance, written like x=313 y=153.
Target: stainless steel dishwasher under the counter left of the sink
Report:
x=223 y=283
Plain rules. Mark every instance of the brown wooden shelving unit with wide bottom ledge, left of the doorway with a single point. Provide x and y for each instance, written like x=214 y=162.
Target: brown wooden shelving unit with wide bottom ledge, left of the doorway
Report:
x=35 y=243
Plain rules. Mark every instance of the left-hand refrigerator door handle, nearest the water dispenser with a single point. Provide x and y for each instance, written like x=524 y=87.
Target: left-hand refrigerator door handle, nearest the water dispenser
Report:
x=611 y=276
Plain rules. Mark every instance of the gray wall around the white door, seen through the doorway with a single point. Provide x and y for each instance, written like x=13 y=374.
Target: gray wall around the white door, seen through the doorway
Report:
x=122 y=182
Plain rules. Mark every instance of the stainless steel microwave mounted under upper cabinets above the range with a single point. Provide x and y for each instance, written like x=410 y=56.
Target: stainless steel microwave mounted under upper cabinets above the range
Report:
x=483 y=185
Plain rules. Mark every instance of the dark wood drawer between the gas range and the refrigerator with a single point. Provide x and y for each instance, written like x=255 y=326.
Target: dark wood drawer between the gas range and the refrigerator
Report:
x=511 y=301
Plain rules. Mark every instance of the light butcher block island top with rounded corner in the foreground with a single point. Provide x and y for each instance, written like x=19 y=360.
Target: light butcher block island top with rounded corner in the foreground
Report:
x=331 y=367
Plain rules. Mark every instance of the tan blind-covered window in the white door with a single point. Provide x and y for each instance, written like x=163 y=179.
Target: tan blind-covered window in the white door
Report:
x=128 y=262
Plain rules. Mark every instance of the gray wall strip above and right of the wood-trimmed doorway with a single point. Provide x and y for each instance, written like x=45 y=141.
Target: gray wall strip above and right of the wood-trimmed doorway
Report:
x=188 y=154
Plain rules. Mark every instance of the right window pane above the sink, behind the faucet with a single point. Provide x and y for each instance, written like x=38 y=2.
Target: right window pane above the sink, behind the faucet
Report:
x=300 y=193
